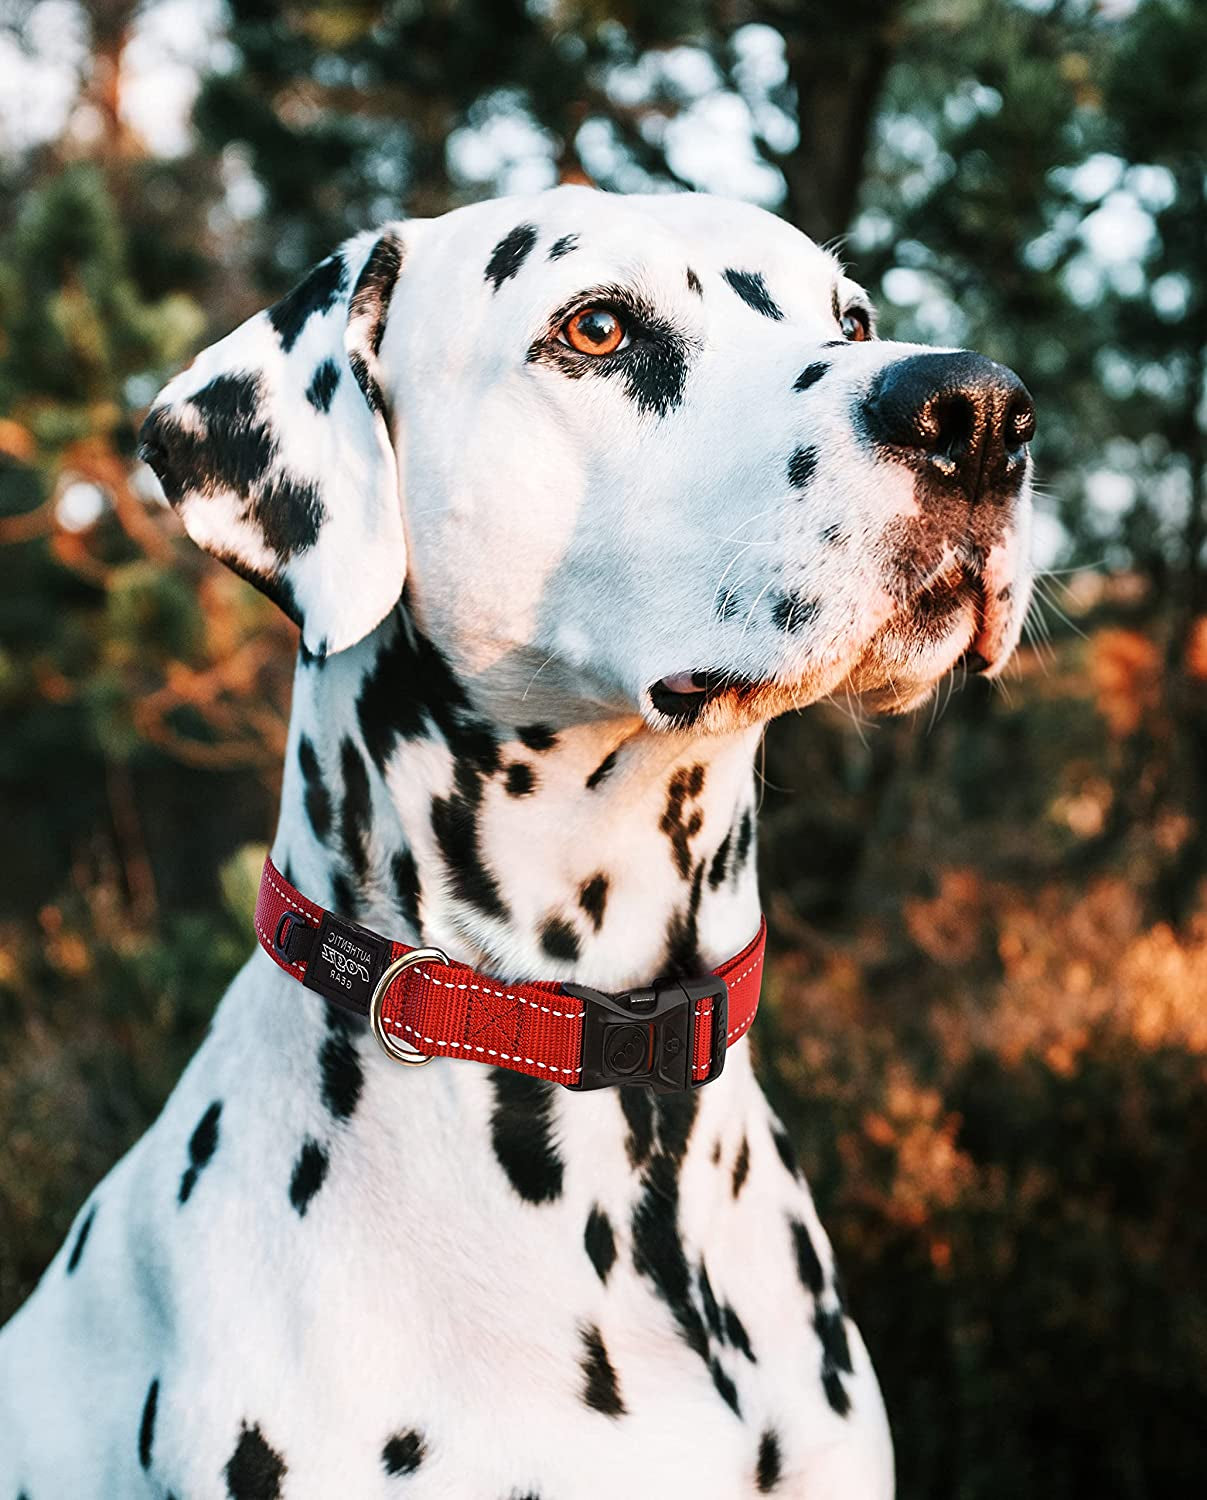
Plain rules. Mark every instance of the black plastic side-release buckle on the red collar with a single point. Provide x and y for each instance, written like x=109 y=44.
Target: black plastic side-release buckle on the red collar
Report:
x=650 y=1036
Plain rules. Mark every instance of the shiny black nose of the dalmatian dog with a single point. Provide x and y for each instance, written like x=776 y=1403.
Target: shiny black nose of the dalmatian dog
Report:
x=965 y=418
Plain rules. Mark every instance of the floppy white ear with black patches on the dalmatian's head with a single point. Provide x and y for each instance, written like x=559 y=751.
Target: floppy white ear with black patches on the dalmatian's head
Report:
x=275 y=449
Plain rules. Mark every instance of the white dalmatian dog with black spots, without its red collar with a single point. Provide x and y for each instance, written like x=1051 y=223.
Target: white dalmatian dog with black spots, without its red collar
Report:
x=569 y=496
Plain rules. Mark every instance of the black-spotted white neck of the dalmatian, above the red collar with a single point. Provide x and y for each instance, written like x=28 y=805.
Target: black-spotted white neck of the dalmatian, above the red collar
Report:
x=601 y=853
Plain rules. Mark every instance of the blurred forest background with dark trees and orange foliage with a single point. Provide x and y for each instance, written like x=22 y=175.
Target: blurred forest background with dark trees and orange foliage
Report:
x=989 y=1021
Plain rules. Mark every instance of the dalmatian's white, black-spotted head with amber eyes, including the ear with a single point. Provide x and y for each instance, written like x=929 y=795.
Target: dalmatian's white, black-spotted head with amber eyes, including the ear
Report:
x=627 y=455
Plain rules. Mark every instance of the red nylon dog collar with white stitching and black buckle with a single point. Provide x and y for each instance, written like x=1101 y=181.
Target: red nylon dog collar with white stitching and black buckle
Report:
x=421 y=1006
